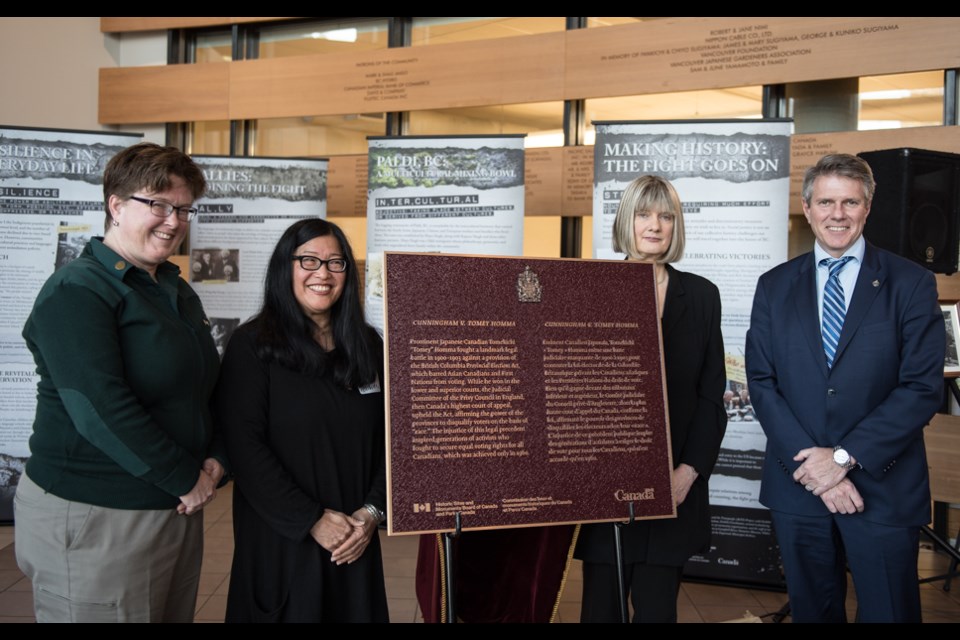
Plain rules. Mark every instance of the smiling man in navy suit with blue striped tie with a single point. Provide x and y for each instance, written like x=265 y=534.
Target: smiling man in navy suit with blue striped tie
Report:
x=845 y=364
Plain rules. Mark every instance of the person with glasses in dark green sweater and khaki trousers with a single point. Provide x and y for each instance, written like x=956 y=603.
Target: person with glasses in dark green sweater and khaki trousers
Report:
x=108 y=521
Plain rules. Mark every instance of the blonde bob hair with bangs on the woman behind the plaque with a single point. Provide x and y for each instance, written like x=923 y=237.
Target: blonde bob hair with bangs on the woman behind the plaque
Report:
x=648 y=193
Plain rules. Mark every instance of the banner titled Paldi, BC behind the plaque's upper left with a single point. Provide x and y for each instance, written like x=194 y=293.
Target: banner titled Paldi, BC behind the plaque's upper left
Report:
x=441 y=194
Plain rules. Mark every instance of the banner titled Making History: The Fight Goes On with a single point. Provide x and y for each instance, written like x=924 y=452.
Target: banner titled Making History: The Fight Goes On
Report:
x=733 y=180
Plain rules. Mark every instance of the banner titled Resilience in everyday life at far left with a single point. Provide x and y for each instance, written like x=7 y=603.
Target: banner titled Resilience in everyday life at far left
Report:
x=51 y=204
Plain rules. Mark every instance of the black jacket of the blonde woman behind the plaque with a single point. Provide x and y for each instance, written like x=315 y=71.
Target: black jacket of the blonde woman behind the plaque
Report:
x=694 y=362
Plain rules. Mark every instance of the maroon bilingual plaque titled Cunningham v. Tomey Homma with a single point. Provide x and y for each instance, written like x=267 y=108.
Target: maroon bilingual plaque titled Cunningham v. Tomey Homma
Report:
x=519 y=413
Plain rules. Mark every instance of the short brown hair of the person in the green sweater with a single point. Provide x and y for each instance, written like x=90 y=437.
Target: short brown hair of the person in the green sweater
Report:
x=149 y=166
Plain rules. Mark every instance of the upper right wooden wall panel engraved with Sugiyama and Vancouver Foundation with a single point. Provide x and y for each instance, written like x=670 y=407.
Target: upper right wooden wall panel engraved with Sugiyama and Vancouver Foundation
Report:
x=682 y=54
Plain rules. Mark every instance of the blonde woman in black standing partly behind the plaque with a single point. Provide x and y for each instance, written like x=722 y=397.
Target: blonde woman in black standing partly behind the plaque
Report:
x=649 y=228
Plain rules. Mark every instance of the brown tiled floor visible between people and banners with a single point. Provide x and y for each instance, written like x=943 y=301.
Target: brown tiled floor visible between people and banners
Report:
x=697 y=602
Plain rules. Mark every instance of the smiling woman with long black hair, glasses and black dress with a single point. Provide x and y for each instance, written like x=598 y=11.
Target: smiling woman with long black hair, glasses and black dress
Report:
x=300 y=402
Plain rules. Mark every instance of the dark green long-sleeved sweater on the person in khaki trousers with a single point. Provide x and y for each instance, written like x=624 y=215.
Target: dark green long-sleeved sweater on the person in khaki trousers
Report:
x=126 y=367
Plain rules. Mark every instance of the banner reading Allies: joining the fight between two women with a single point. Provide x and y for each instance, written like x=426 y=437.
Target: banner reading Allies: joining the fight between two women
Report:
x=249 y=203
